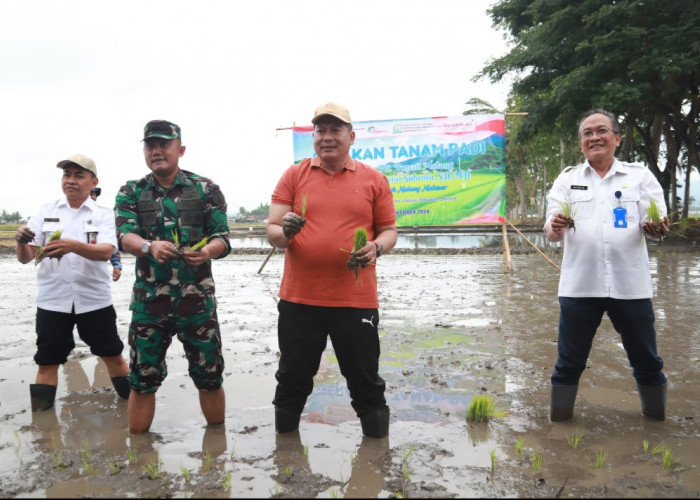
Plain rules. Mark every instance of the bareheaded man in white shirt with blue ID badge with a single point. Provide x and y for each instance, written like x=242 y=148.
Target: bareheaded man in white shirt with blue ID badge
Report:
x=605 y=267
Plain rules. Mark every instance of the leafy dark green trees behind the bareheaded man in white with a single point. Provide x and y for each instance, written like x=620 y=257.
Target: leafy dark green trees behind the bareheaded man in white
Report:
x=639 y=59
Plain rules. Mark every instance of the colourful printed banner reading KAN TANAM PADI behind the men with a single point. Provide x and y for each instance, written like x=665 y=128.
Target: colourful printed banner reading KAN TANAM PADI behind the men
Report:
x=442 y=171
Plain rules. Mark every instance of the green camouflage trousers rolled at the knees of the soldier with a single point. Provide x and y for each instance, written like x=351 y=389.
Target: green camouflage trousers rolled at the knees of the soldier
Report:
x=150 y=336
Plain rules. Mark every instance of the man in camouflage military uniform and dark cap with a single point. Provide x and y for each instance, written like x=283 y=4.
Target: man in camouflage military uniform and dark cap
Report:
x=158 y=218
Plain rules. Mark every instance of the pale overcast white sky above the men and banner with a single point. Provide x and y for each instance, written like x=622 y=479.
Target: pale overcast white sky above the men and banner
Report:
x=85 y=76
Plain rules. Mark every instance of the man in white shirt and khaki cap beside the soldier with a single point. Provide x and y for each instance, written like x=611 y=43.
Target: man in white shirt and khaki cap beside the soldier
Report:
x=71 y=240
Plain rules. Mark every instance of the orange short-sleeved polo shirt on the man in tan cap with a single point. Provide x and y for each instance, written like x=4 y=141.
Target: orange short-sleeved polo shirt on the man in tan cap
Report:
x=314 y=264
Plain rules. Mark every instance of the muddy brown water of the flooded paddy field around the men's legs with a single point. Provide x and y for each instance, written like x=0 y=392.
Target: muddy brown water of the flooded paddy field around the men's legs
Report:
x=451 y=327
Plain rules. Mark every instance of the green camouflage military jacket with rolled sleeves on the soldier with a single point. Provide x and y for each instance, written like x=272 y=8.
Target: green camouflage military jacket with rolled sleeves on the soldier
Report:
x=191 y=209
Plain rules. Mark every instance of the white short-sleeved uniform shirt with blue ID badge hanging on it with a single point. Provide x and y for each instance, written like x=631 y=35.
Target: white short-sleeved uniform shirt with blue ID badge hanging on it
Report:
x=601 y=259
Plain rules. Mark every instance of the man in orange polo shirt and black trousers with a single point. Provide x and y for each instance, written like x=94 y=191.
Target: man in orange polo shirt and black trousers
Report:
x=316 y=207
